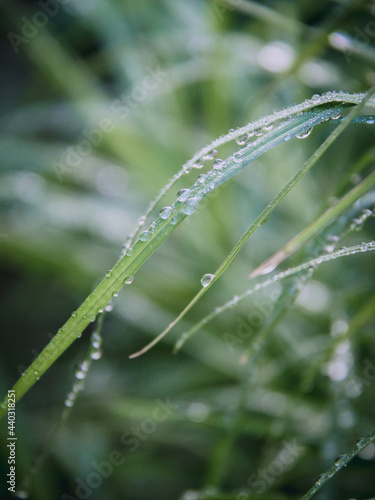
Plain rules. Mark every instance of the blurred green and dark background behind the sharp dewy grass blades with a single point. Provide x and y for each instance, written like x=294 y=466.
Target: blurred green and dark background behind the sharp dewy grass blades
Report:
x=101 y=104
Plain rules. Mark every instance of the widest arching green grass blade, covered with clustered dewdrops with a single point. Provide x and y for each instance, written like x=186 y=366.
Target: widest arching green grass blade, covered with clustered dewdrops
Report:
x=303 y=117
